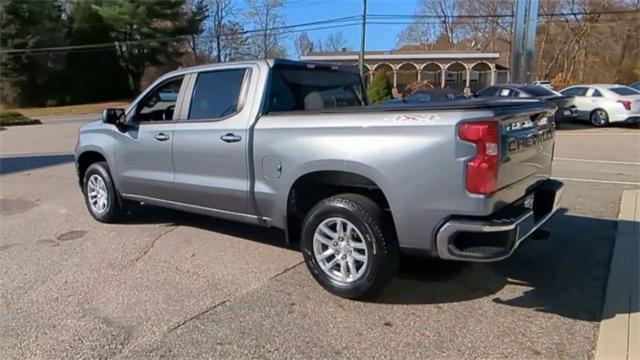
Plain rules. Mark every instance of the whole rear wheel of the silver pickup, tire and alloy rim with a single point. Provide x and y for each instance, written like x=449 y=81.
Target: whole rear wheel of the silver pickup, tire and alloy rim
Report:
x=348 y=246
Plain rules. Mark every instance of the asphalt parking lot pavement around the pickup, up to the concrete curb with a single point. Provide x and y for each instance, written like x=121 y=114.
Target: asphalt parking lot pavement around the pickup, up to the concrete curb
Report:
x=181 y=285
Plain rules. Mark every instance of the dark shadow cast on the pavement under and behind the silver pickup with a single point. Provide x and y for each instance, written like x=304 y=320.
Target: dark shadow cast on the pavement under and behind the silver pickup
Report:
x=564 y=275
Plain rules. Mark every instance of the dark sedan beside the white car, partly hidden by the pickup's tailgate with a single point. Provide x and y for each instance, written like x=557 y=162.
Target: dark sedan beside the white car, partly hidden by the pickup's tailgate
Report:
x=567 y=110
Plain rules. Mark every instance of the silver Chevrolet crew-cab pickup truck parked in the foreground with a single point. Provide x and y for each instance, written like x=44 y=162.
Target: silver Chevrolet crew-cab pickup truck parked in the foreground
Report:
x=295 y=146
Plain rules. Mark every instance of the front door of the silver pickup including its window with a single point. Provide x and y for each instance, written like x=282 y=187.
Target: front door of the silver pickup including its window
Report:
x=143 y=156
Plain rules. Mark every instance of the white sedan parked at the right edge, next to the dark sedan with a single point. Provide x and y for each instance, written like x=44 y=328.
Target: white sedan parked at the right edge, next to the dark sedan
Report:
x=602 y=104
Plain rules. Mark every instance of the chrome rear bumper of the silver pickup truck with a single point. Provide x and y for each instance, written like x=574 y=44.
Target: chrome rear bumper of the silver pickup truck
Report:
x=496 y=237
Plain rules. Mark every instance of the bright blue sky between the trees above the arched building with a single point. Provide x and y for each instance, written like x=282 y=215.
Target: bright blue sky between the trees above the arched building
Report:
x=378 y=37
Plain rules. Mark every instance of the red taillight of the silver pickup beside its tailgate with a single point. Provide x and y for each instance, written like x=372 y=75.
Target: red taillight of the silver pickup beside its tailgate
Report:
x=482 y=170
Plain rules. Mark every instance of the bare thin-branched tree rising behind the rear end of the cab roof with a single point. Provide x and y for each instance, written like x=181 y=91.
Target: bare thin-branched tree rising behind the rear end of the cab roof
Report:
x=264 y=16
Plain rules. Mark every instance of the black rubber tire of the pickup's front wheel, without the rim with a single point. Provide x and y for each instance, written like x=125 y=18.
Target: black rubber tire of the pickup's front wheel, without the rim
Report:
x=114 y=210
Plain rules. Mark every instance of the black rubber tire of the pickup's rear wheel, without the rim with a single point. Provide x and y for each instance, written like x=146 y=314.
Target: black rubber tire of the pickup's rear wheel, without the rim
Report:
x=382 y=247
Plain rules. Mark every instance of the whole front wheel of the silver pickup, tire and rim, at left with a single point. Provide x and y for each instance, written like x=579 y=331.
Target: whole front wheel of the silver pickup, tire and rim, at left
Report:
x=100 y=193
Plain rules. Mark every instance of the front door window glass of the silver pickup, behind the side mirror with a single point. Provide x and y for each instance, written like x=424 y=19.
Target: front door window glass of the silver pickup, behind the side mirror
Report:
x=160 y=103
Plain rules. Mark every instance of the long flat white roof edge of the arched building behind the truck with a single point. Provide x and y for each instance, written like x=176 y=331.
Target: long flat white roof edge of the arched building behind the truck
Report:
x=399 y=55
